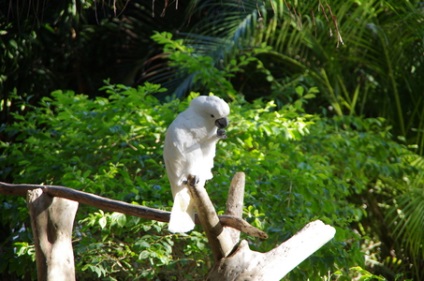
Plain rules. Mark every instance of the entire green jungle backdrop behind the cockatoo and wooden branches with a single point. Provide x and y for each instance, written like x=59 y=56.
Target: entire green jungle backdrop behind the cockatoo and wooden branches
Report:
x=327 y=122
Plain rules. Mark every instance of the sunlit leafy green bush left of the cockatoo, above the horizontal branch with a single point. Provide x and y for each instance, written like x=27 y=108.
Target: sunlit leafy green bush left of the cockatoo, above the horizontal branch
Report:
x=81 y=132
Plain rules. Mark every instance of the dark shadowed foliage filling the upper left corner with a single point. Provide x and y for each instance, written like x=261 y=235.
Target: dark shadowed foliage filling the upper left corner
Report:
x=72 y=45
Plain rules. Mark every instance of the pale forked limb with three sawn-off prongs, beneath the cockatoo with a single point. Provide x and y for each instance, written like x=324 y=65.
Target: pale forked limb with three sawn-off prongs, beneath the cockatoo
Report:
x=236 y=261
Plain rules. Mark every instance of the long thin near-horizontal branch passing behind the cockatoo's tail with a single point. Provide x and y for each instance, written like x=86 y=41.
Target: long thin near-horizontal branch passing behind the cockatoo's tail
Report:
x=111 y=205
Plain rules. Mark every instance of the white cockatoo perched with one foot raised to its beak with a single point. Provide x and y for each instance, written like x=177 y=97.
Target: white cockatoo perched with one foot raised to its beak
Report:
x=189 y=149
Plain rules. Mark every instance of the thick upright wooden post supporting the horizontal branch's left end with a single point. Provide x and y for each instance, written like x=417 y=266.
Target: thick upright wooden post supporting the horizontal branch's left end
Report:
x=52 y=219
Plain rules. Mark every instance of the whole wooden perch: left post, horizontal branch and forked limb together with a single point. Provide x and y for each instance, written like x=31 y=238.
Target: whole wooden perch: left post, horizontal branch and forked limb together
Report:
x=233 y=259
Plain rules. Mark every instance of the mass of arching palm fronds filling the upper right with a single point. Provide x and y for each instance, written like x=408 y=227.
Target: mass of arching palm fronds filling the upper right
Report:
x=364 y=56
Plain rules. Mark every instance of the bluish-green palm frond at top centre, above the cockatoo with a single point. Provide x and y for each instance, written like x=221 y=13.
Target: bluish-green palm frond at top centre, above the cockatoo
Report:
x=220 y=34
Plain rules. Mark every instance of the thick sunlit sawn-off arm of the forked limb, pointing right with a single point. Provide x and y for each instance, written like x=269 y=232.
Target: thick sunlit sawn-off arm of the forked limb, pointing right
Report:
x=245 y=264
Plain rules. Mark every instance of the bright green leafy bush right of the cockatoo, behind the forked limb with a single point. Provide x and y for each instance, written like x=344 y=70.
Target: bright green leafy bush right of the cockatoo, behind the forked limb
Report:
x=326 y=174
